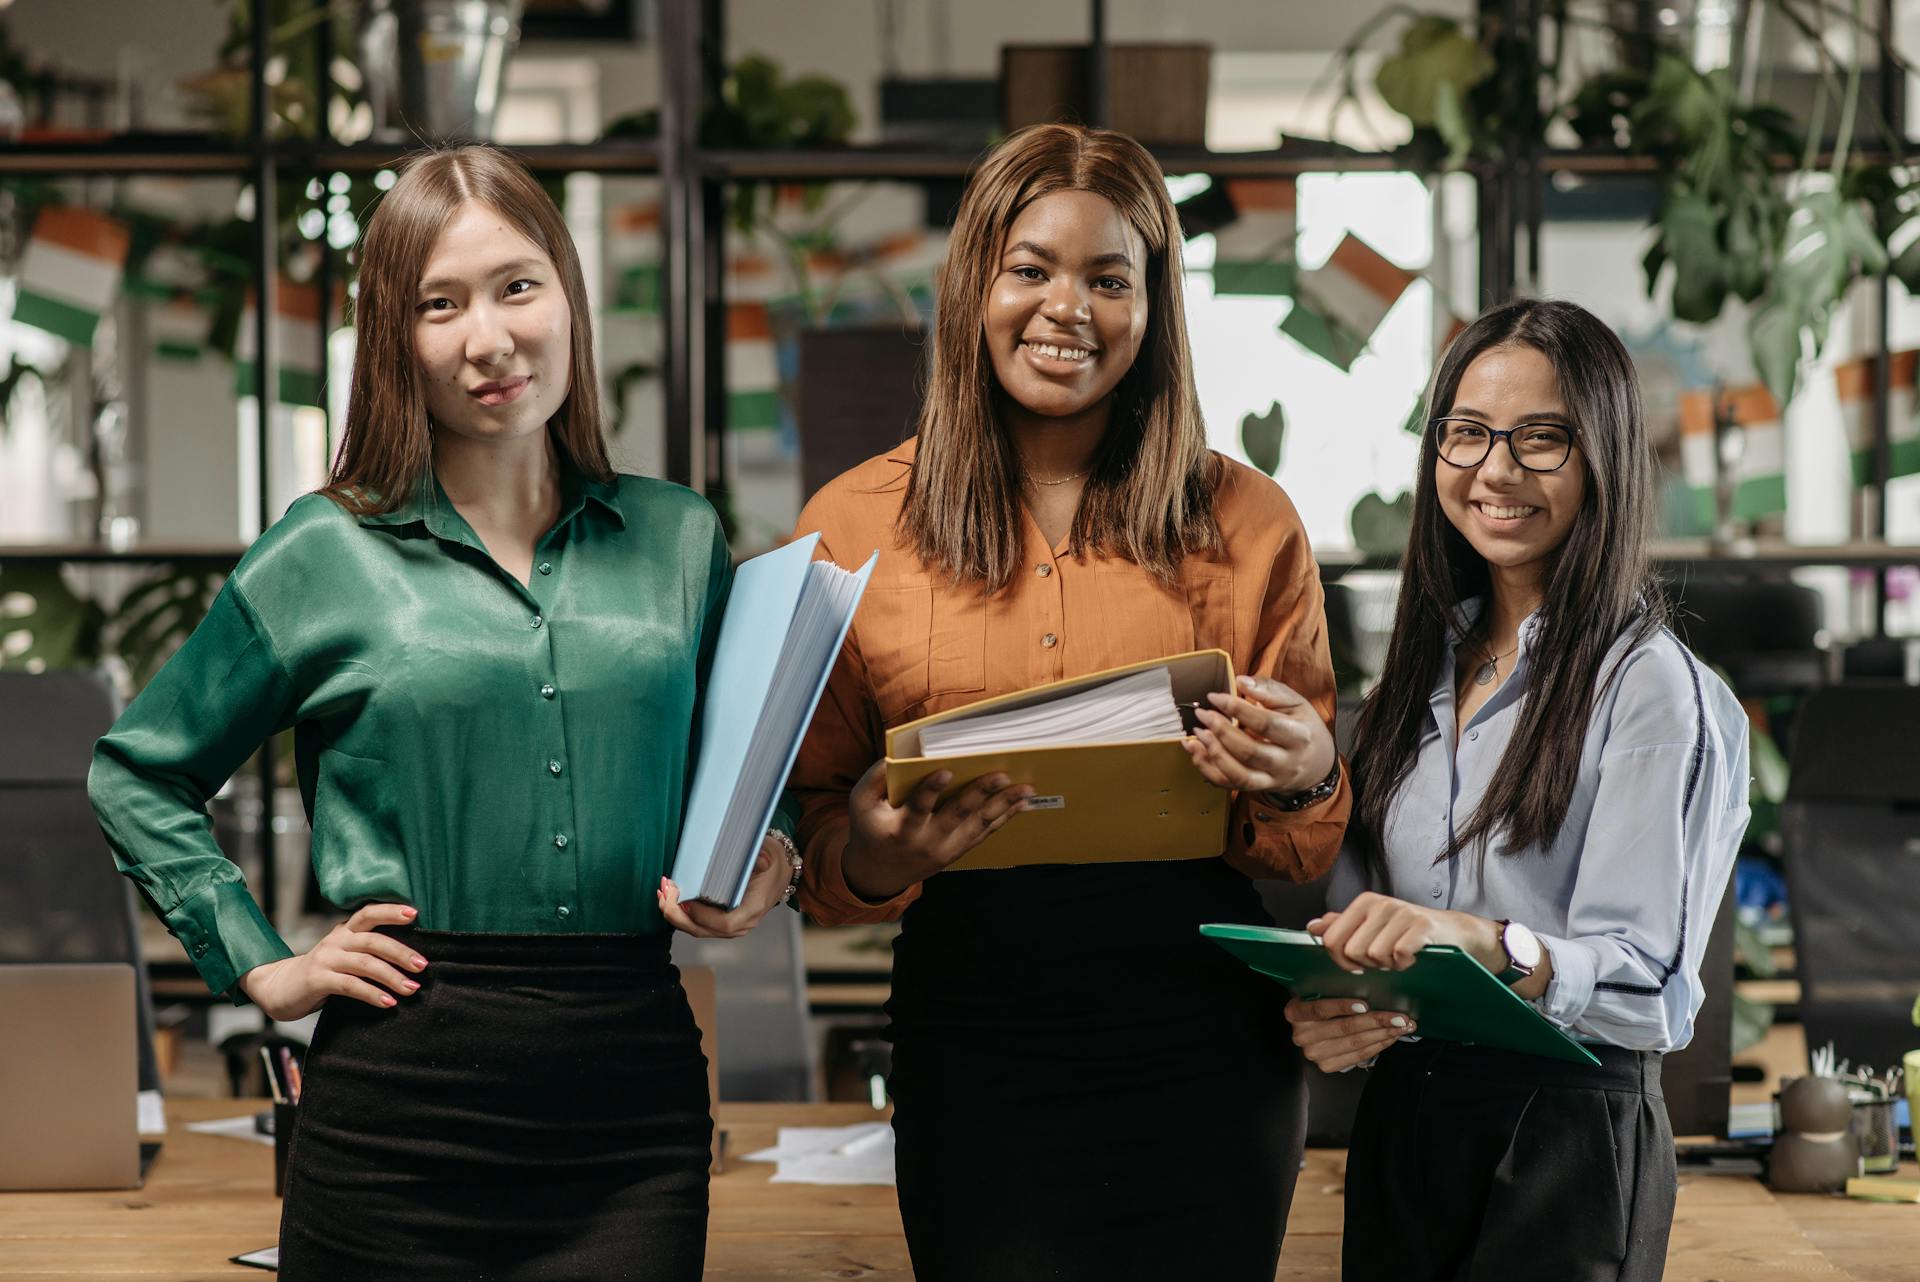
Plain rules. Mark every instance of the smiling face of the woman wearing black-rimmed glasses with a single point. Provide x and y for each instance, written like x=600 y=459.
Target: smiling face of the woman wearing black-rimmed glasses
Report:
x=1512 y=517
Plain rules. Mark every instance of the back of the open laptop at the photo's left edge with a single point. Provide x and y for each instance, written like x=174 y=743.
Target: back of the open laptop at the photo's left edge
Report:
x=68 y=1078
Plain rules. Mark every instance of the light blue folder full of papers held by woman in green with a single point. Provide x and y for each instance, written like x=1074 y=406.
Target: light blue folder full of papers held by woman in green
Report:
x=784 y=627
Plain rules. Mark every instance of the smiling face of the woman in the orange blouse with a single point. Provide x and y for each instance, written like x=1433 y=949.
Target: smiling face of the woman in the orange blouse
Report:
x=1067 y=310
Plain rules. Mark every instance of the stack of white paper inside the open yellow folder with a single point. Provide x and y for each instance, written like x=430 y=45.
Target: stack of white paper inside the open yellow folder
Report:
x=1124 y=711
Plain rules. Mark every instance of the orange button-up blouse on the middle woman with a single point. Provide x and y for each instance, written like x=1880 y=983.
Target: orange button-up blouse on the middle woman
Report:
x=923 y=646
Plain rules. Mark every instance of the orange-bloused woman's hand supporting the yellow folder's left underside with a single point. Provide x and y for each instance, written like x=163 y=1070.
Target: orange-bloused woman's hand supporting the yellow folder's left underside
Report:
x=894 y=847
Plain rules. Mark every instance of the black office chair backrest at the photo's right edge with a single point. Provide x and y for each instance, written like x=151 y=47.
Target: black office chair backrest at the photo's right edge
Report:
x=1852 y=851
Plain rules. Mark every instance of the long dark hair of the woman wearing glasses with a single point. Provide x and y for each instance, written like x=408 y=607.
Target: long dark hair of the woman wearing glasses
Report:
x=1598 y=588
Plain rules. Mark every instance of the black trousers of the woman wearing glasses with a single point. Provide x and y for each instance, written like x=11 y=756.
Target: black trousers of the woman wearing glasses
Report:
x=1474 y=1164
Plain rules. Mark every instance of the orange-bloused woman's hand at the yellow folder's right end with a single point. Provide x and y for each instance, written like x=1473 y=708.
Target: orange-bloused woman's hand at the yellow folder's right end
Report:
x=1262 y=740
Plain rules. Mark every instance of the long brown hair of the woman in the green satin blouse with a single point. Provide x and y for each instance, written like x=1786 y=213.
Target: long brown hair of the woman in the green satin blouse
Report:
x=389 y=442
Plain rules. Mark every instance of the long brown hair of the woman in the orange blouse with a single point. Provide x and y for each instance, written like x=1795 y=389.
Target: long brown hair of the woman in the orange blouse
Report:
x=1149 y=492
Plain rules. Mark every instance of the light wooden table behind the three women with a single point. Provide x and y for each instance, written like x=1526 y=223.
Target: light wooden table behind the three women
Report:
x=210 y=1199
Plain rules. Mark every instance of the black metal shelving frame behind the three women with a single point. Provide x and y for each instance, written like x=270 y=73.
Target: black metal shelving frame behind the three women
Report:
x=694 y=247
